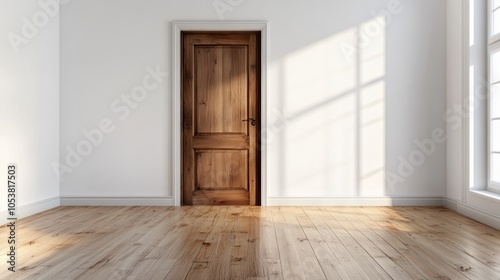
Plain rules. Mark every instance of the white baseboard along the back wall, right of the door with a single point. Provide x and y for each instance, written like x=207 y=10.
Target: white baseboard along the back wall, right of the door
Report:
x=354 y=201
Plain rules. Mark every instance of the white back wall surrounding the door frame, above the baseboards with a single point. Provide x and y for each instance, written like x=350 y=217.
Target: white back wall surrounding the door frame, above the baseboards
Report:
x=341 y=120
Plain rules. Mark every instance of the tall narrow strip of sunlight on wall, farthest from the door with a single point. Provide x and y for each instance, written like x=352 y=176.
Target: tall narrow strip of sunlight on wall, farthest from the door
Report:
x=372 y=109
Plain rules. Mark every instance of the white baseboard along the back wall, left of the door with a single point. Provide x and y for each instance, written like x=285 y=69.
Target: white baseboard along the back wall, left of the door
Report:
x=117 y=201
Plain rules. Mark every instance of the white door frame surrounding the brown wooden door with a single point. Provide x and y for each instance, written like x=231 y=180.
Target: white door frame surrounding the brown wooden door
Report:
x=177 y=28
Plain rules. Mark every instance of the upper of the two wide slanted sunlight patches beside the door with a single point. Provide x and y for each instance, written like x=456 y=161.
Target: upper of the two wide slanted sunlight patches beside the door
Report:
x=318 y=72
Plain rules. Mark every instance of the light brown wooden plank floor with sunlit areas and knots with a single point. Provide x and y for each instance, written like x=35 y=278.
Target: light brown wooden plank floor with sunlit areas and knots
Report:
x=211 y=242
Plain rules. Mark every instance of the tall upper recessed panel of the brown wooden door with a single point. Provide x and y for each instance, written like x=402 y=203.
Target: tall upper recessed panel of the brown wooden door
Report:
x=221 y=88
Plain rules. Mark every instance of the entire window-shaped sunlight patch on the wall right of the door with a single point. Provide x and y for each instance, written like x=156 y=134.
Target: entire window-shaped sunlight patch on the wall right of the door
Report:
x=332 y=96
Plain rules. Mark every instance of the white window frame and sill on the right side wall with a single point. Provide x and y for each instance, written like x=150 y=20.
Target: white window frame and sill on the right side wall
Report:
x=476 y=201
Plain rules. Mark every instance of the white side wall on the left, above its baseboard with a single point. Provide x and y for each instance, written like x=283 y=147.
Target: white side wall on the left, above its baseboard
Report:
x=29 y=106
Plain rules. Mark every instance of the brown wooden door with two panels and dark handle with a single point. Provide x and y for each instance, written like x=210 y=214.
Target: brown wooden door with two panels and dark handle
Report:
x=220 y=104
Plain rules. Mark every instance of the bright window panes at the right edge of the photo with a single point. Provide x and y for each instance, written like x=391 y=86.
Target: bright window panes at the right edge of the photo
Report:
x=494 y=96
